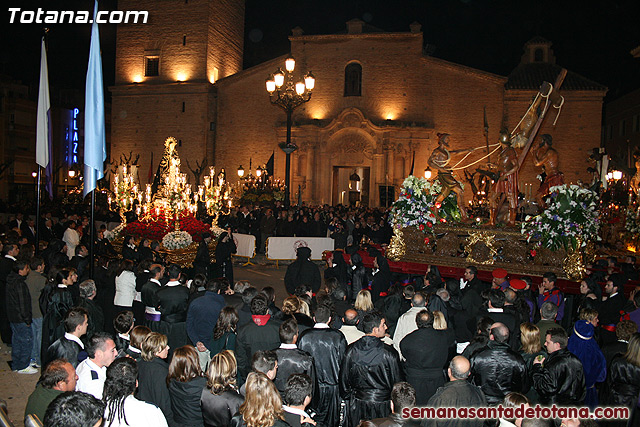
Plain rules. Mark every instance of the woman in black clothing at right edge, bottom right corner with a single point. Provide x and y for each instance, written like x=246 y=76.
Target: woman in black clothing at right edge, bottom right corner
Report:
x=622 y=386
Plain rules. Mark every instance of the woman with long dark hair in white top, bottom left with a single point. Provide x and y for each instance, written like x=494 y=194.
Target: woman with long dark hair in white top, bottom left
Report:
x=122 y=408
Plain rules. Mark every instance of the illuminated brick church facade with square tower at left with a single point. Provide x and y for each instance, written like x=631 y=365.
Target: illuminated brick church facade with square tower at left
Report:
x=378 y=102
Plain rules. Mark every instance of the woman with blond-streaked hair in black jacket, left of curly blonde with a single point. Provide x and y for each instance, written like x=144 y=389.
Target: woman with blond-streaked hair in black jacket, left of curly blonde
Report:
x=220 y=401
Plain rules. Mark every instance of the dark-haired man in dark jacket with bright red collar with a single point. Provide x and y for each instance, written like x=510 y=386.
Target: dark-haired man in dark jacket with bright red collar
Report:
x=262 y=333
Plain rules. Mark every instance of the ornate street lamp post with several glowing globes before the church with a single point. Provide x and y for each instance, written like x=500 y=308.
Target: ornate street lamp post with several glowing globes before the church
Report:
x=288 y=94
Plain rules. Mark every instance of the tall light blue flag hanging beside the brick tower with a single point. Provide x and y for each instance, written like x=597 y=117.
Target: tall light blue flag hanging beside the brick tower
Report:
x=95 y=150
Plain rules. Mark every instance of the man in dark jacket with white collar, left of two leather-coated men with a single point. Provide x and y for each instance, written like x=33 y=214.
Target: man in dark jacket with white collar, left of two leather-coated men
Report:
x=291 y=360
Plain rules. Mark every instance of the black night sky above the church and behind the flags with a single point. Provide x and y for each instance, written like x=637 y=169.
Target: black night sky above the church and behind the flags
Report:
x=592 y=38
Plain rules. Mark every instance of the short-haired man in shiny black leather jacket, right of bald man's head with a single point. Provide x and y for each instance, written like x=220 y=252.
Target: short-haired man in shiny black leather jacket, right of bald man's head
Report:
x=498 y=370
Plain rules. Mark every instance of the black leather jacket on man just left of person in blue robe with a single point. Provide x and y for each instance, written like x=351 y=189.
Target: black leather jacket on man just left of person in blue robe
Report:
x=560 y=380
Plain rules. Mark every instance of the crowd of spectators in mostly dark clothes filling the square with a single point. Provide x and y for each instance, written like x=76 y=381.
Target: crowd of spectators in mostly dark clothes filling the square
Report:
x=144 y=342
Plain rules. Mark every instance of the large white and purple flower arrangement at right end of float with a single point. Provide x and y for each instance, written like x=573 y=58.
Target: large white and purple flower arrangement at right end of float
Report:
x=571 y=215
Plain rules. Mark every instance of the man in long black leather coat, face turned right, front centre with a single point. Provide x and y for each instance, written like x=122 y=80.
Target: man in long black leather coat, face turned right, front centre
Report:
x=369 y=370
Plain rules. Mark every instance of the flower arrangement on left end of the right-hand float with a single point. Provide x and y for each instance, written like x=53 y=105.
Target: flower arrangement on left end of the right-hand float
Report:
x=416 y=206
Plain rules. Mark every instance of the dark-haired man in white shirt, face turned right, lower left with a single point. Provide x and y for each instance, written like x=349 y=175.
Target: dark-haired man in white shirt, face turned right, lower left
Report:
x=92 y=372
